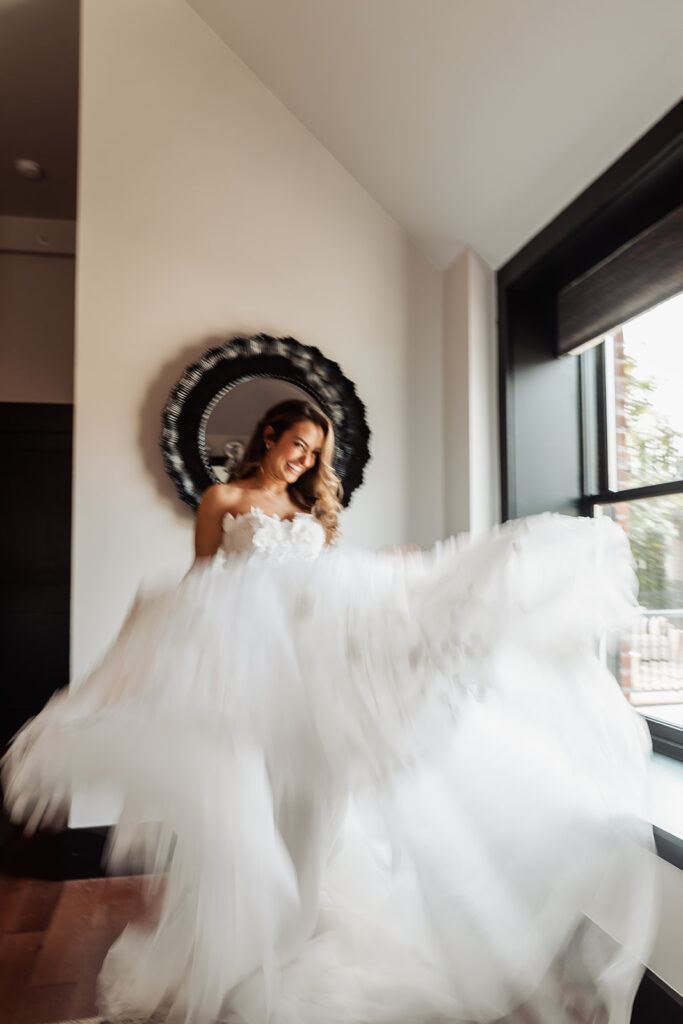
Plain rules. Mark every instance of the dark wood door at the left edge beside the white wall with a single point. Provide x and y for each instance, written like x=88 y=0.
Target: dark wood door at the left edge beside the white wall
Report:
x=35 y=558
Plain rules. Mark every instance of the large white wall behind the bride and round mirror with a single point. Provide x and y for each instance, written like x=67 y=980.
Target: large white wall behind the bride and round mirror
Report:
x=206 y=209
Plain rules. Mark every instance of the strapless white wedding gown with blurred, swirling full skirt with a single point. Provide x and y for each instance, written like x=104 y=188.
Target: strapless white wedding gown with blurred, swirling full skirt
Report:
x=381 y=790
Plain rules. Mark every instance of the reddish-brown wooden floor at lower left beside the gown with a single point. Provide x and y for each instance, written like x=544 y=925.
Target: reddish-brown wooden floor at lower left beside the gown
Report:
x=54 y=937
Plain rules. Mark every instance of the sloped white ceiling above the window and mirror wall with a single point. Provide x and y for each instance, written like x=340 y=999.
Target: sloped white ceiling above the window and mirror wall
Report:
x=471 y=121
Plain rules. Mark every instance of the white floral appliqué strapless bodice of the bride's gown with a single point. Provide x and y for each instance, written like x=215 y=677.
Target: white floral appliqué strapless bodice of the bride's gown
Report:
x=257 y=534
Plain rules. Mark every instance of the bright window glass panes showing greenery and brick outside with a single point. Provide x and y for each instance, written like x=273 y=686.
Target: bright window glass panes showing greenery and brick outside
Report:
x=632 y=399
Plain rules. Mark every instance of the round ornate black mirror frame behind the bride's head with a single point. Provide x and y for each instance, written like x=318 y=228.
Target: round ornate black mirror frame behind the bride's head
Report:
x=204 y=383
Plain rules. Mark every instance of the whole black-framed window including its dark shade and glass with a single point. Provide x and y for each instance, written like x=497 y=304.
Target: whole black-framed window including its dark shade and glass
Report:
x=614 y=254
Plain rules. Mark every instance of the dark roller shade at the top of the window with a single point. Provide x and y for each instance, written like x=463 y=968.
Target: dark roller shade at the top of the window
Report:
x=647 y=271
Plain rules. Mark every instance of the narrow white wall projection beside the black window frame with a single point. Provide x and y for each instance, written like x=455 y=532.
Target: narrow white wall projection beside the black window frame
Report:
x=471 y=397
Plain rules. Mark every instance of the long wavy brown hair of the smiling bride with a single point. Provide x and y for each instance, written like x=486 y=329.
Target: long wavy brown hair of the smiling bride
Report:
x=319 y=491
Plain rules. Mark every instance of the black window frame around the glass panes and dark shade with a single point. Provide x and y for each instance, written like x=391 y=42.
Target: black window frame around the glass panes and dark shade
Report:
x=544 y=464
